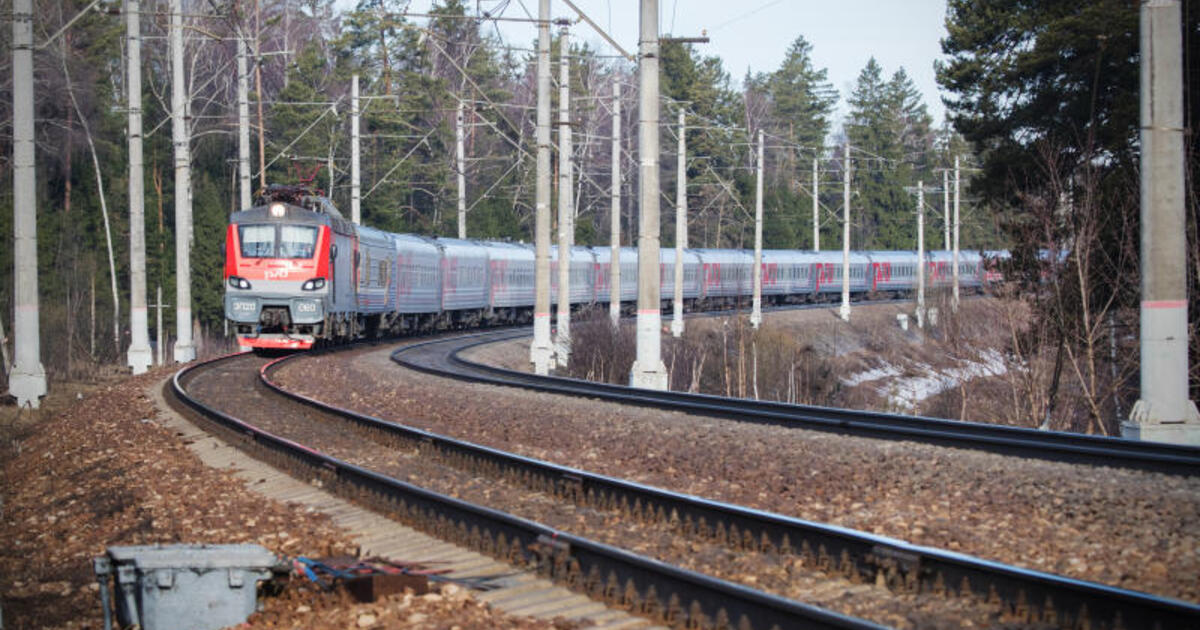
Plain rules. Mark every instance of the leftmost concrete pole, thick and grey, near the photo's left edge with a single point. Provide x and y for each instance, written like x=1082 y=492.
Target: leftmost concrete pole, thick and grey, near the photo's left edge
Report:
x=27 y=382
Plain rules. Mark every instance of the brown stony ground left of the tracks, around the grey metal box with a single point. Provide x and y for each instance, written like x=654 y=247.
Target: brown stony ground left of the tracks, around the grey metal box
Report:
x=95 y=467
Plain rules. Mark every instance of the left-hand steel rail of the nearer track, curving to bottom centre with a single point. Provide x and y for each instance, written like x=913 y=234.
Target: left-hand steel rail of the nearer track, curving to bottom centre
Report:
x=662 y=592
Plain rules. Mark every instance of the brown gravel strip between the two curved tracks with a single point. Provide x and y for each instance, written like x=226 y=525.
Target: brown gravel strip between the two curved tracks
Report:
x=1125 y=529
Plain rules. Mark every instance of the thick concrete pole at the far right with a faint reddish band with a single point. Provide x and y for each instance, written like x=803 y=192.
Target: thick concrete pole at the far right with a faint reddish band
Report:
x=1163 y=413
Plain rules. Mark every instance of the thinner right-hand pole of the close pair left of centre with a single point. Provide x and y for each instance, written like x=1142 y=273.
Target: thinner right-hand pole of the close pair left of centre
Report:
x=566 y=196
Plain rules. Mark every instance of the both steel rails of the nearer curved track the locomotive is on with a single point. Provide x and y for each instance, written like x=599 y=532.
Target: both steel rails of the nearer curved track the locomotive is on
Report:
x=1024 y=596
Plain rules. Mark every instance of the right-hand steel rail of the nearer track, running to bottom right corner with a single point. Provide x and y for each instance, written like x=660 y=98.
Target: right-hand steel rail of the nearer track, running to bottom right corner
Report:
x=1021 y=596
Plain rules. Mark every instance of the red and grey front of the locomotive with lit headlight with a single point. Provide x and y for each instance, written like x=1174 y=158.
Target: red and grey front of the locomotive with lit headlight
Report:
x=280 y=271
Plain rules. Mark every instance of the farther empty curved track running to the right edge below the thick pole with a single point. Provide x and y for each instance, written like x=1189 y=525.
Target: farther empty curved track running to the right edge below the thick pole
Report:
x=443 y=358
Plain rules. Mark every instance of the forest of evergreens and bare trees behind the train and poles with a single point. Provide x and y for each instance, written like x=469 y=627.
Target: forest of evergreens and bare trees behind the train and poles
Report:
x=1042 y=112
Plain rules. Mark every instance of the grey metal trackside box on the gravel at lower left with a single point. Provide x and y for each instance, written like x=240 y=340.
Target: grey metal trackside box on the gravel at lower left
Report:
x=184 y=587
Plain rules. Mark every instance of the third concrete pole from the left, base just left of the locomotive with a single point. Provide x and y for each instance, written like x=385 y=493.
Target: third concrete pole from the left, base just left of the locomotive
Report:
x=185 y=349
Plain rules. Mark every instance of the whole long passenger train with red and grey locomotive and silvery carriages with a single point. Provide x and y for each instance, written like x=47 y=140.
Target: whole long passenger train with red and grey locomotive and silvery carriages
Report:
x=298 y=274
